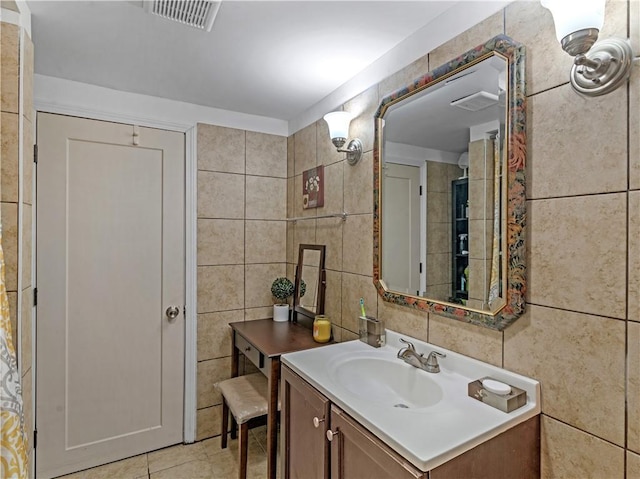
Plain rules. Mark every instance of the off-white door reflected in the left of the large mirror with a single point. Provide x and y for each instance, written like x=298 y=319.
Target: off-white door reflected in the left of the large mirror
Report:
x=401 y=213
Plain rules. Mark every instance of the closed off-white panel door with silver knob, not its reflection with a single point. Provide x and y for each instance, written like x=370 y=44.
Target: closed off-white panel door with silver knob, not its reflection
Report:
x=110 y=261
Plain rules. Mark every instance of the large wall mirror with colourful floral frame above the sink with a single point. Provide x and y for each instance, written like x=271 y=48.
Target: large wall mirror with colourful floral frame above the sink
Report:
x=449 y=204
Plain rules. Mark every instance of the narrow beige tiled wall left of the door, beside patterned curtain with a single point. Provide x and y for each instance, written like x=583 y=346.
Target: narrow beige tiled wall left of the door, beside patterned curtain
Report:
x=17 y=255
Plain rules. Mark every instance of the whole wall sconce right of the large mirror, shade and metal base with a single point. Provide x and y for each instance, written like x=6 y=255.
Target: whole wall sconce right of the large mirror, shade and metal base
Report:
x=599 y=68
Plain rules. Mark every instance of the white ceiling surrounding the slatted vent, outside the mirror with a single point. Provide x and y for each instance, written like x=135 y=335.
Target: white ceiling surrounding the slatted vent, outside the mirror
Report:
x=270 y=58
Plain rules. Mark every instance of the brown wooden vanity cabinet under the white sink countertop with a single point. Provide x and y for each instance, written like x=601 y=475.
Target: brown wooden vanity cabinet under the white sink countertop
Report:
x=355 y=453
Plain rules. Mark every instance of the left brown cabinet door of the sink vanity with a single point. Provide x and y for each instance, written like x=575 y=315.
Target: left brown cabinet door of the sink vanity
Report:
x=305 y=417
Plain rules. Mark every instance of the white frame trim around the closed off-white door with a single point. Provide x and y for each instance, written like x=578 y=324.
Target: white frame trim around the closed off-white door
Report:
x=191 y=170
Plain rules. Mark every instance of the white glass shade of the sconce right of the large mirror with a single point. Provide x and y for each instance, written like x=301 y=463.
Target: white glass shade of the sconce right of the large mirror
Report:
x=571 y=16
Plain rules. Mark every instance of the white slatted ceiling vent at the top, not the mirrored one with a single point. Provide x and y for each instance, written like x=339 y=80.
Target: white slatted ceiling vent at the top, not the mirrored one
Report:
x=195 y=13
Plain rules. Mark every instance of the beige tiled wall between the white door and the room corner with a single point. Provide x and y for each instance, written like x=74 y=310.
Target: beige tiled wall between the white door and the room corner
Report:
x=242 y=195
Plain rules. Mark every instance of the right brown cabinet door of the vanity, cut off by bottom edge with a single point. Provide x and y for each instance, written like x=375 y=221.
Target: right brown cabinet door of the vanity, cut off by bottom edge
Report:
x=358 y=454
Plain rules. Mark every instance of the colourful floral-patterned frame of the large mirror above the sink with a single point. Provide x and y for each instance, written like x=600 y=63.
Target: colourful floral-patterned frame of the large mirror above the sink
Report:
x=514 y=54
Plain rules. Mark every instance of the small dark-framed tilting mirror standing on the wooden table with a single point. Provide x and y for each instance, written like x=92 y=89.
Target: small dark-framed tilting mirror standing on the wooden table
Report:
x=309 y=301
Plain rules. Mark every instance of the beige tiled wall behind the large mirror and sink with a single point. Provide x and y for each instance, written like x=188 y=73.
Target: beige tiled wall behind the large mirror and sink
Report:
x=583 y=251
